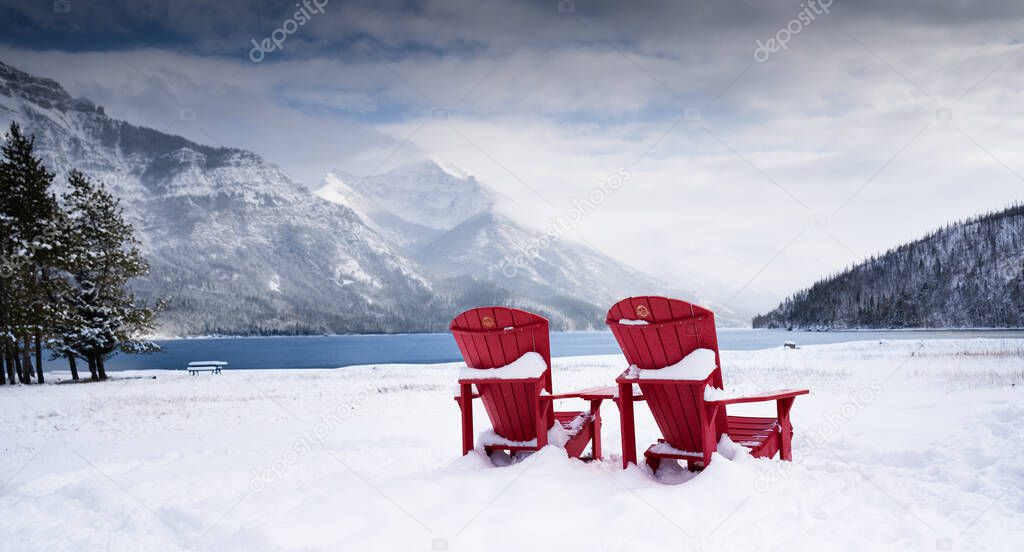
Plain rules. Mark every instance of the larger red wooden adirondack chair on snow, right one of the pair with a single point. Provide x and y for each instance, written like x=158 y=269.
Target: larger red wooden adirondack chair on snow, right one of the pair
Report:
x=691 y=424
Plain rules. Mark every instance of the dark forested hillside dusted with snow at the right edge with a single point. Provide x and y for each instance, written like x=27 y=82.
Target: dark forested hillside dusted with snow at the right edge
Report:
x=967 y=275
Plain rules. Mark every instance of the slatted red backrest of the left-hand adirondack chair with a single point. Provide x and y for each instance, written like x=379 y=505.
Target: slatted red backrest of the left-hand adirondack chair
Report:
x=496 y=336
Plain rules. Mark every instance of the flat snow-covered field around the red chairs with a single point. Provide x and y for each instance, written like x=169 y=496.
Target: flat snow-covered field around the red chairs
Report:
x=903 y=445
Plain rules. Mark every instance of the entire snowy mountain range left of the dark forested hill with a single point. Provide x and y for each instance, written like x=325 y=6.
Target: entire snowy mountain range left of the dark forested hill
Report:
x=238 y=247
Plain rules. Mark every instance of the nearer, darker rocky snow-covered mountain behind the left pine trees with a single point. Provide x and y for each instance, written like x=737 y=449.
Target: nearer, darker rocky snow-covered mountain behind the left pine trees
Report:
x=236 y=246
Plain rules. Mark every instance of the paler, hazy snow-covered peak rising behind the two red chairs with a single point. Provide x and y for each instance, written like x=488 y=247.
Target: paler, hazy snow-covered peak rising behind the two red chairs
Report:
x=447 y=222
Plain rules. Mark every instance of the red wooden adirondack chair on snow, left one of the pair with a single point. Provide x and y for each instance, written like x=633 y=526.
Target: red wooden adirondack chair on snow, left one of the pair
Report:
x=522 y=410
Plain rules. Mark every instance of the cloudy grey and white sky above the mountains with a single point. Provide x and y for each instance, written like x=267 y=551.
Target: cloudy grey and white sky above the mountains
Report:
x=756 y=167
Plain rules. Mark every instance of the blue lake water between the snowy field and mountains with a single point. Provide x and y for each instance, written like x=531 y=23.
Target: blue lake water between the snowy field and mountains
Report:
x=337 y=352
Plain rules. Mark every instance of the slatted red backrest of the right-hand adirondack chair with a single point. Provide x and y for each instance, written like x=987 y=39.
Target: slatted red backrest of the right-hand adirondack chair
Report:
x=674 y=330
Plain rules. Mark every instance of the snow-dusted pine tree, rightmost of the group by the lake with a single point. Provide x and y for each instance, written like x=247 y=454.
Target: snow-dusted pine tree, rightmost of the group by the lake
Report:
x=104 y=317
